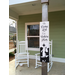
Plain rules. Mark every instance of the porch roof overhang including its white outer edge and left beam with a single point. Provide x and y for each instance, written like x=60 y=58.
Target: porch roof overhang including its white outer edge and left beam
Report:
x=33 y=7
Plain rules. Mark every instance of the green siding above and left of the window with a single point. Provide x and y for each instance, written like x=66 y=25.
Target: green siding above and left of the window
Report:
x=26 y=19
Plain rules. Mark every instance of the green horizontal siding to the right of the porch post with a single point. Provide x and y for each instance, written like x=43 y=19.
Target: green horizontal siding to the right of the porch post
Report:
x=57 y=33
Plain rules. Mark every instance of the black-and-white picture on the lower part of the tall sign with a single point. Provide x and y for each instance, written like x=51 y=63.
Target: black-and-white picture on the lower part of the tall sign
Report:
x=44 y=54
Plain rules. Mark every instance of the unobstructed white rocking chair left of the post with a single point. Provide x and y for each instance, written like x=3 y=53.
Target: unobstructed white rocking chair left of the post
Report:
x=22 y=55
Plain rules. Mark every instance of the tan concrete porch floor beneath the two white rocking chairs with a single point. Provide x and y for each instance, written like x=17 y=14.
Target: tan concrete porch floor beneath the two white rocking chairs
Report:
x=57 y=69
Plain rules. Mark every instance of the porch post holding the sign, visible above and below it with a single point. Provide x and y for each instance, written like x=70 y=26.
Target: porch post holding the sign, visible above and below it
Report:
x=44 y=18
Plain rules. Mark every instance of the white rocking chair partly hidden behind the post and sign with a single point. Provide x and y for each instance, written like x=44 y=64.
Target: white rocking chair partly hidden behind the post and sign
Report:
x=49 y=65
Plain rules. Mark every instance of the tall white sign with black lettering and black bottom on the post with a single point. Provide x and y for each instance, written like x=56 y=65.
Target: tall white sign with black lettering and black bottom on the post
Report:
x=44 y=41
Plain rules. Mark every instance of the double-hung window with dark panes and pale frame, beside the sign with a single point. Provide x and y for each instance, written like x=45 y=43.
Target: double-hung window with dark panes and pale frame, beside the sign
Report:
x=32 y=35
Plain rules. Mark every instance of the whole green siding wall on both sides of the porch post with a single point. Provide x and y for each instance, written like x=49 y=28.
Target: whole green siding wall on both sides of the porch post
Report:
x=56 y=30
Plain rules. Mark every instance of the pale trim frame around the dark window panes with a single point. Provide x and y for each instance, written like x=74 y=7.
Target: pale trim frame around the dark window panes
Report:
x=32 y=23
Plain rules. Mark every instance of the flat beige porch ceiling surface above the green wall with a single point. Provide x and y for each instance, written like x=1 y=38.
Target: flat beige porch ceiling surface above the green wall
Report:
x=36 y=7
